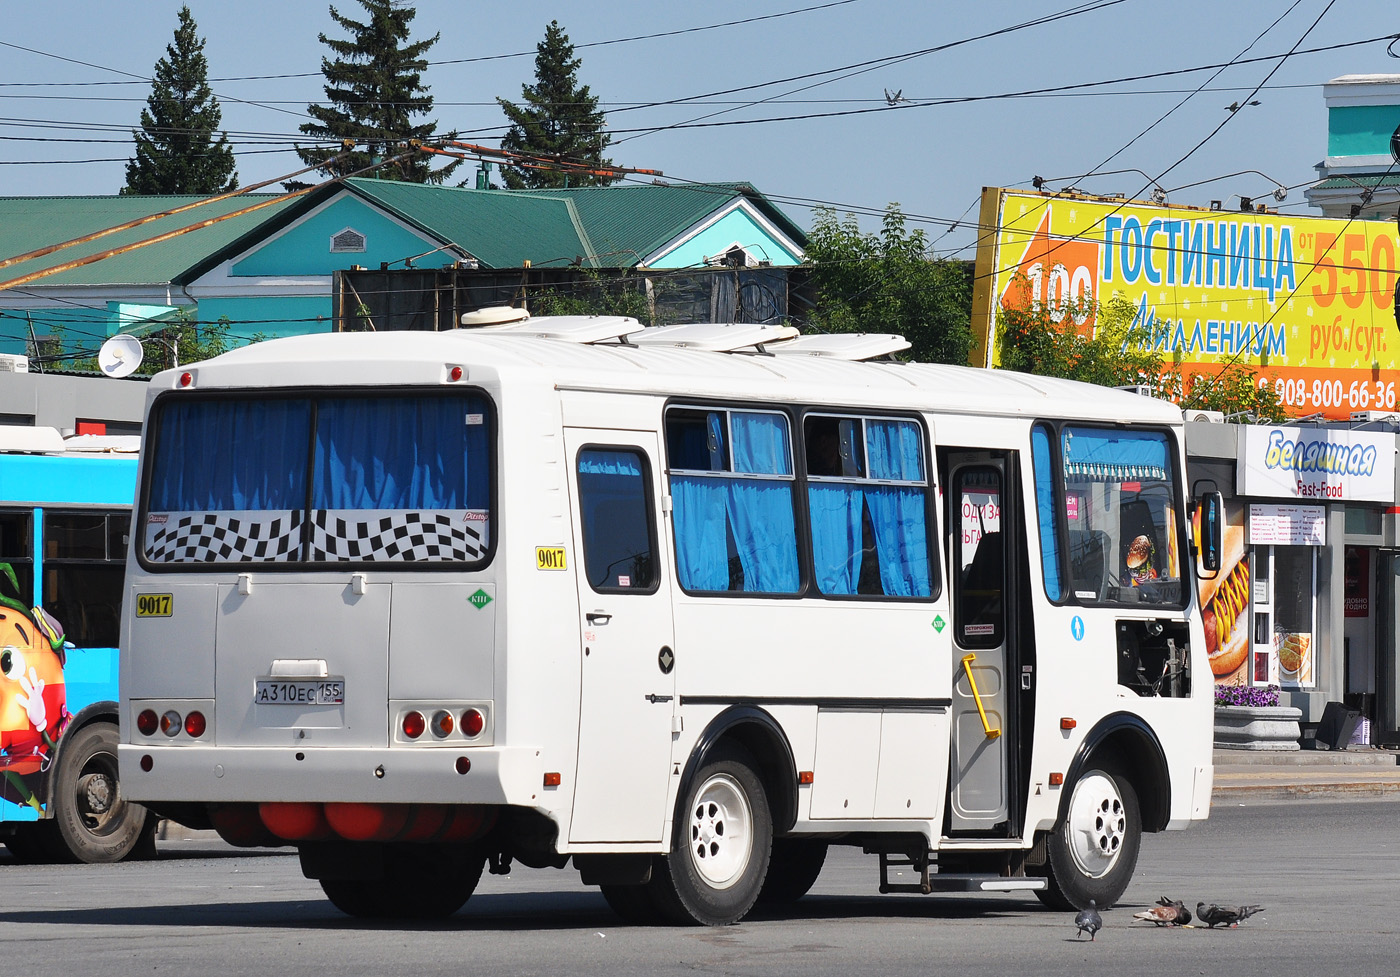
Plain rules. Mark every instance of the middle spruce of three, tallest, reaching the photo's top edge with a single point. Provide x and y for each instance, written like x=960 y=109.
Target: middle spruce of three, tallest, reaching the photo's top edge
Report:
x=376 y=87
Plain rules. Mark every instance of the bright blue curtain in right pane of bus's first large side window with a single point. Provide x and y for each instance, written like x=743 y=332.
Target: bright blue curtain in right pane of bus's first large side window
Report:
x=765 y=533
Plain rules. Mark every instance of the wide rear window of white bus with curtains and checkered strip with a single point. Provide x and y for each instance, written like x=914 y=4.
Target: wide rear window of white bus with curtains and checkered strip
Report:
x=332 y=479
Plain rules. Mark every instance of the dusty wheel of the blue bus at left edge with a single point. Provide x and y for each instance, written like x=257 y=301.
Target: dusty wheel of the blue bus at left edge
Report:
x=92 y=821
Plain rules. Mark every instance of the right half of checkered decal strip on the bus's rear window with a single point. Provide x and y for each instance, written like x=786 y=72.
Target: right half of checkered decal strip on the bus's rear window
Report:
x=395 y=537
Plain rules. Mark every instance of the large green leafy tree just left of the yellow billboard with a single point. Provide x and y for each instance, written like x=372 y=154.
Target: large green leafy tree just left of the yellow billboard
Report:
x=887 y=283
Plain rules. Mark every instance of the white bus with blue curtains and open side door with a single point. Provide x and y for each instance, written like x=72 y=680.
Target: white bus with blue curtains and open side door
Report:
x=681 y=605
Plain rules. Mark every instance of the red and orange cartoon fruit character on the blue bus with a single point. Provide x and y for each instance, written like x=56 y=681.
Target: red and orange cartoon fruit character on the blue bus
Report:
x=33 y=703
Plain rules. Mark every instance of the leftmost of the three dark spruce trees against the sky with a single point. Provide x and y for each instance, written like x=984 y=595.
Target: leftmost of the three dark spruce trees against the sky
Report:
x=176 y=148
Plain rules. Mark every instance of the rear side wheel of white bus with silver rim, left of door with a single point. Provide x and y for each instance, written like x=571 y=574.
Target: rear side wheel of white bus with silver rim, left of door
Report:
x=720 y=852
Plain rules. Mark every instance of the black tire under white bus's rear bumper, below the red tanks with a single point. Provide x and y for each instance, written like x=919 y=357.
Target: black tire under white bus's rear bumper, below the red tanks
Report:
x=421 y=883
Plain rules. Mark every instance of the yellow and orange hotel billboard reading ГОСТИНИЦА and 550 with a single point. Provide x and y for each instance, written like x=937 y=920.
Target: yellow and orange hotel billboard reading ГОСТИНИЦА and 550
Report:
x=1305 y=303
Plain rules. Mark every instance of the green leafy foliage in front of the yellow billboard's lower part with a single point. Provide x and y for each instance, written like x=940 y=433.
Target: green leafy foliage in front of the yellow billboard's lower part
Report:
x=1098 y=344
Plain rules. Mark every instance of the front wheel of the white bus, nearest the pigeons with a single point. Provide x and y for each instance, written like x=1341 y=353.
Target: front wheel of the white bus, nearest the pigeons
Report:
x=1094 y=849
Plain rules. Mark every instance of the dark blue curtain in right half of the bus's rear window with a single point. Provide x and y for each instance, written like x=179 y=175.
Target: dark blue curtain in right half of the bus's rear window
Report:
x=400 y=454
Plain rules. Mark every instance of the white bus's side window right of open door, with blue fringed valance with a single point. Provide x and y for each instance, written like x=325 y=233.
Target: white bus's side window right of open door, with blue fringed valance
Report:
x=1119 y=516
